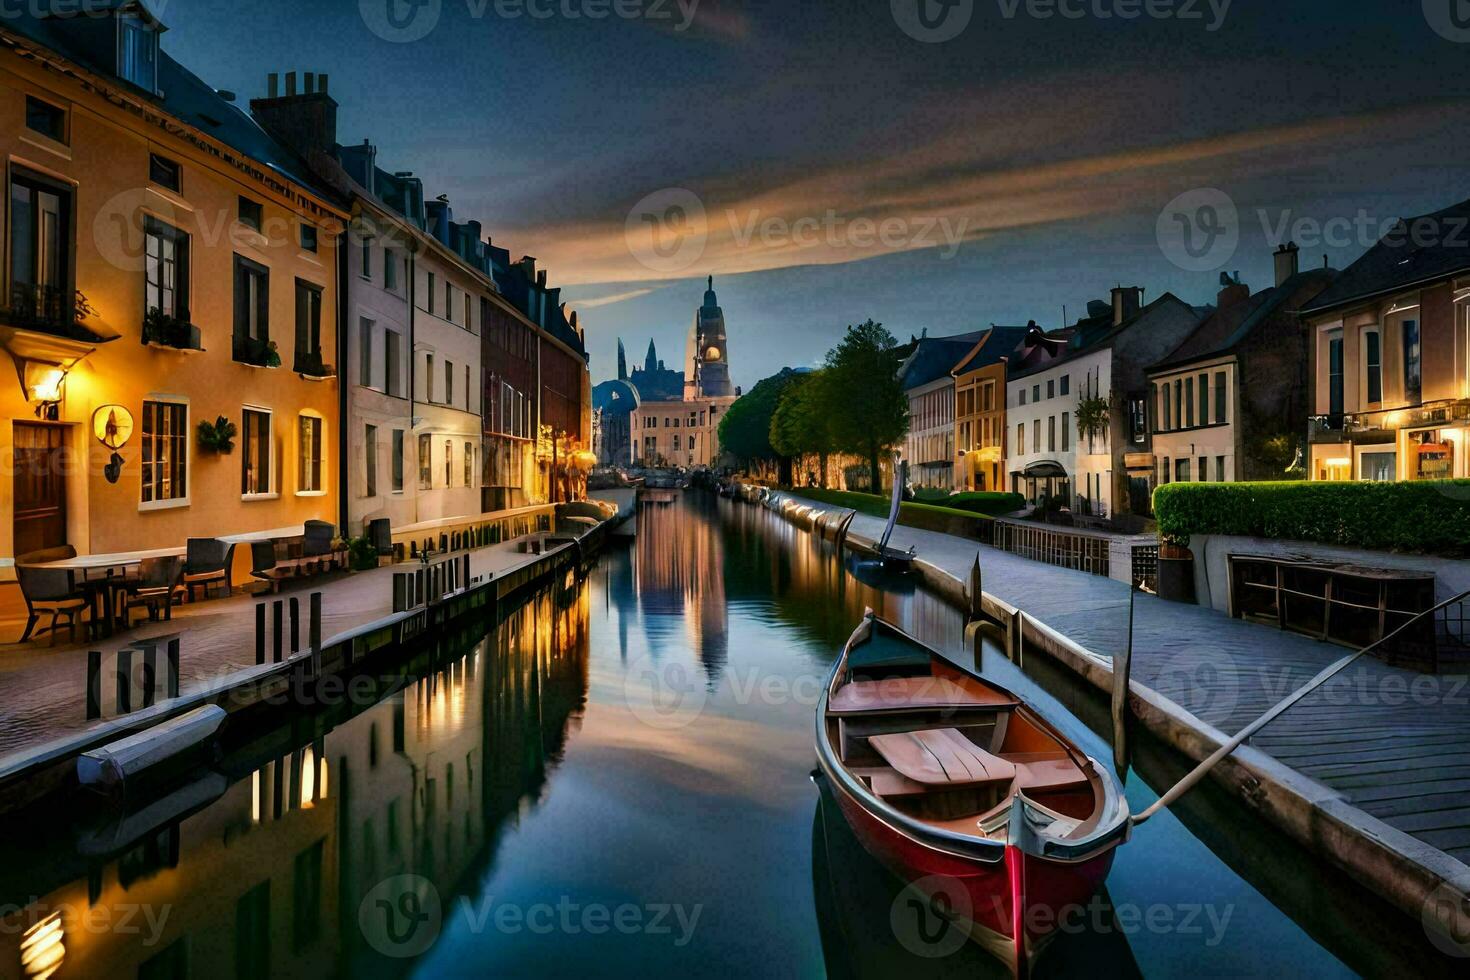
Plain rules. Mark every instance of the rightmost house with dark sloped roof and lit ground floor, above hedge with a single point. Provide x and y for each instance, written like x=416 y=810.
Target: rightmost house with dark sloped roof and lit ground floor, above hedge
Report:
x=1390 y=359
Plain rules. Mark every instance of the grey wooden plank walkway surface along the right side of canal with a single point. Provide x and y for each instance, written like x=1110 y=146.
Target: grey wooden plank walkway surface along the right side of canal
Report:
x=1393 y=743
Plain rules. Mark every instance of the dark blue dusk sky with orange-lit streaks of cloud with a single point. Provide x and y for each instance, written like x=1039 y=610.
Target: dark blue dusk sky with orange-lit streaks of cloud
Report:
x=934 y=165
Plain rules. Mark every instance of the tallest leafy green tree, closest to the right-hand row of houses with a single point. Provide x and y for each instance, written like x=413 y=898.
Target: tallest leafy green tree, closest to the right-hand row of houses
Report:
x=868 y=411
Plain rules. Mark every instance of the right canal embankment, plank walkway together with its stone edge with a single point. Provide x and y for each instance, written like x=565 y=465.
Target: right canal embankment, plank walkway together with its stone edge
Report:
x=1344 y=774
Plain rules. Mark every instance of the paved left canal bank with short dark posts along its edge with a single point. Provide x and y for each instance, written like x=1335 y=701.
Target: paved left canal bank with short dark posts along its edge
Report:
x=259 y=675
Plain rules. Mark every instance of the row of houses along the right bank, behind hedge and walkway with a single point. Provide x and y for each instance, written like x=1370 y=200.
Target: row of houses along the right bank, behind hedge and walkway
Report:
x=1355 y=375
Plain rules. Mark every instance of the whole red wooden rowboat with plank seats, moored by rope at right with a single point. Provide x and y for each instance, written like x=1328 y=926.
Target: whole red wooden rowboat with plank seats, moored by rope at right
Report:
x=953 y=782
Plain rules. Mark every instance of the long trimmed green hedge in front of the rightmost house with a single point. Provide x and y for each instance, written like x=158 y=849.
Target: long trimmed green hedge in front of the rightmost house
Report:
x=1422 y=518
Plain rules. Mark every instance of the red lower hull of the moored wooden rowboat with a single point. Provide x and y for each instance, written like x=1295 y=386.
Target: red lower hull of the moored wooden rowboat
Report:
x=1053 y=893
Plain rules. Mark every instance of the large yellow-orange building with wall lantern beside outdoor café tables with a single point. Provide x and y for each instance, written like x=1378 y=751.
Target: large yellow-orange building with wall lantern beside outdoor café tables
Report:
x=165 y=267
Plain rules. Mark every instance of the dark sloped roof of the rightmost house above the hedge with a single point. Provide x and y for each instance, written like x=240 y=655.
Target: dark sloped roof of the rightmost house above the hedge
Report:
x=1418 y=251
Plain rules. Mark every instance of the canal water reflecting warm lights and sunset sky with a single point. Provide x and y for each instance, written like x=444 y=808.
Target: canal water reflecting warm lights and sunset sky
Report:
x=617 y=782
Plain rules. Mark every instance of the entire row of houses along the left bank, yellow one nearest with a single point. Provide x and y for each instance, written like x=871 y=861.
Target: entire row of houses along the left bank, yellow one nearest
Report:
x=224 y=321
